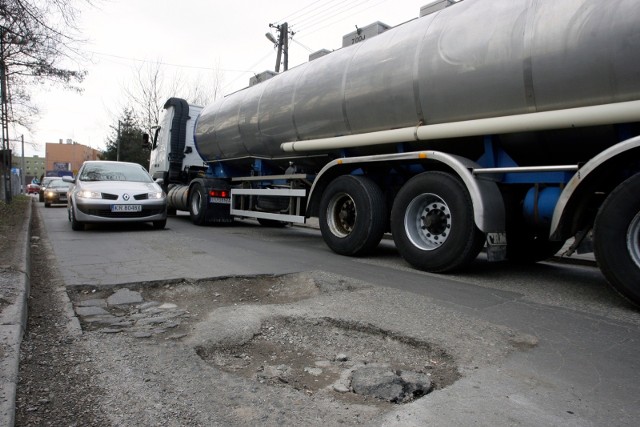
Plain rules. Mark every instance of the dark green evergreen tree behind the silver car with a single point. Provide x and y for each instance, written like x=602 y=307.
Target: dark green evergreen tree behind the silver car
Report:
x=129 y=134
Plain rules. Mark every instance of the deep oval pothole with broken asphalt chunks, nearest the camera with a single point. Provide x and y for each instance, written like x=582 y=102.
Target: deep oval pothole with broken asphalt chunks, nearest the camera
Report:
x=347 y=360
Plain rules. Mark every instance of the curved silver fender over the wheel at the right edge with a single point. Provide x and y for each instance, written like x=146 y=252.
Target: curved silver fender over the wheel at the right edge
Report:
x=607 y=160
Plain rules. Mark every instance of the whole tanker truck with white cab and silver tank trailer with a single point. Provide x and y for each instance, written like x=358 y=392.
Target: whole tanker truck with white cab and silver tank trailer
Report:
x=509 y=125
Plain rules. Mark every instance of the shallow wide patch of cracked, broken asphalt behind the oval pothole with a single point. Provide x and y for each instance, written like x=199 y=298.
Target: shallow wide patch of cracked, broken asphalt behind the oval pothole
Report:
x=156 y=308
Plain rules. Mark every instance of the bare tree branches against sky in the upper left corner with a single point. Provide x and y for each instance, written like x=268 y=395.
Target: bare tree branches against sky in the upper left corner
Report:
x=39 y=43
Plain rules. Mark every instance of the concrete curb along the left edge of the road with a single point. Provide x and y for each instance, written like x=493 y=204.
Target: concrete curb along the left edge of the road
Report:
x=13 y=320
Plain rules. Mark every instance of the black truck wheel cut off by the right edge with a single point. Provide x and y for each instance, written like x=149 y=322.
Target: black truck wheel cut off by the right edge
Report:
x=617 y=239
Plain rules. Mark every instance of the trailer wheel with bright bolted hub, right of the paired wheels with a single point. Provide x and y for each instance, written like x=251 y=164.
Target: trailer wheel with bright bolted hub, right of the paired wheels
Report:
x=432 y=223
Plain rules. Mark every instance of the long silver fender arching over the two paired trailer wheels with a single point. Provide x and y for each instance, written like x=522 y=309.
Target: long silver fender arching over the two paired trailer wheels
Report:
x=488 y=206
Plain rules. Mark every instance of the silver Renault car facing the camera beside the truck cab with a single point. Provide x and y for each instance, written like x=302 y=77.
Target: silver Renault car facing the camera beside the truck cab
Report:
x=106 y=191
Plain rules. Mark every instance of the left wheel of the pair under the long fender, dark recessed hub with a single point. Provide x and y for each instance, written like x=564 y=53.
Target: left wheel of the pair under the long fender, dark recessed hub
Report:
x=353 y=215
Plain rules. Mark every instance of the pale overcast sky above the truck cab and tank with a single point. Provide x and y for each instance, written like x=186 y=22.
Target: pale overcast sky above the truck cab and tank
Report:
x=191 y=39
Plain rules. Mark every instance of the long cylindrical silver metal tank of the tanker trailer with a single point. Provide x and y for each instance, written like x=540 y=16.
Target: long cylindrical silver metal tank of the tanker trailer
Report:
x=475 y=59
